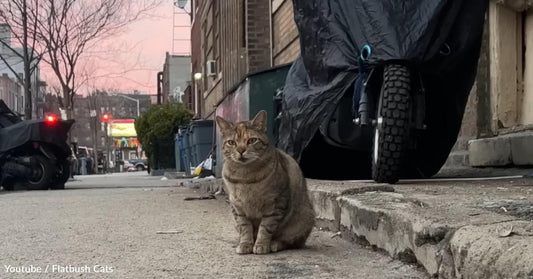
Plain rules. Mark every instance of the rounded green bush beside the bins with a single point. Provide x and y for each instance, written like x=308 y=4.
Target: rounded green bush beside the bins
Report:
x=160 y=124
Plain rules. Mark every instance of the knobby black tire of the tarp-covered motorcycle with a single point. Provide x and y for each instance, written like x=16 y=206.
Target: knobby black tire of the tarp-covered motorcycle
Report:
x=391 y=132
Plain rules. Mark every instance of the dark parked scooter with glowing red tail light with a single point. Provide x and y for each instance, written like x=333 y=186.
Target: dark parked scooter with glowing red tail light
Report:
x=34 y=154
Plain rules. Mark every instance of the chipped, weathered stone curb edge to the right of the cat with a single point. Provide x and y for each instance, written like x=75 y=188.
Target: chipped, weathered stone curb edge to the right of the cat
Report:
x=462 y=247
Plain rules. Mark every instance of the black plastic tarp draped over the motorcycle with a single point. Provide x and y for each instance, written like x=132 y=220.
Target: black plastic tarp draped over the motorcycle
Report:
x=441 y=38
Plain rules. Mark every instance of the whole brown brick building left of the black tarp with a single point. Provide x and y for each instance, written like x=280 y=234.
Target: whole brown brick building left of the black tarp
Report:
x=231 y=39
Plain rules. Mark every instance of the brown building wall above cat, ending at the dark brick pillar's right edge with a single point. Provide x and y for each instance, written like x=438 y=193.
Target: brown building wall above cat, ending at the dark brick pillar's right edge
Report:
x=235 y=34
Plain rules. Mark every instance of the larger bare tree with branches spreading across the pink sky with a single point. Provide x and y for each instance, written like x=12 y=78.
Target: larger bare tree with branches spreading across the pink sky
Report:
x=69 y=28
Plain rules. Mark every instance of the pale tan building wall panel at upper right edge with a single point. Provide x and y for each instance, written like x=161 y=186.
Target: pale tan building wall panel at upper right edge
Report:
x=511 y=66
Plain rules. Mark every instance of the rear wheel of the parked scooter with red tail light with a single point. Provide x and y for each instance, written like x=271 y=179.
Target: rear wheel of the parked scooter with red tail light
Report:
x=43 y=172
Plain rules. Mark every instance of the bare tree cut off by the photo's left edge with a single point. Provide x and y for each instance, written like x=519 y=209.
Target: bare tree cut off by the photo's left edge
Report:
x=20 y=18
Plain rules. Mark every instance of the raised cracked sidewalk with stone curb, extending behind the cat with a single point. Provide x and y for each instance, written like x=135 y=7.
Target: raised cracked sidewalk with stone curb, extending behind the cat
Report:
x=454 y=229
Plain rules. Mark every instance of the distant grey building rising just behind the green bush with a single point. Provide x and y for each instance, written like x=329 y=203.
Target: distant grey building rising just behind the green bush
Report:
x=176 y=77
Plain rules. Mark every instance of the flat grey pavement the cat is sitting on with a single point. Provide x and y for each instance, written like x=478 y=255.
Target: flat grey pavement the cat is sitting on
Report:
x=107 y=227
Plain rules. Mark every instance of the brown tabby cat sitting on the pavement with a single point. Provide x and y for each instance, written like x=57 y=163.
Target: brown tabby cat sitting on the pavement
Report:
x=267 y=191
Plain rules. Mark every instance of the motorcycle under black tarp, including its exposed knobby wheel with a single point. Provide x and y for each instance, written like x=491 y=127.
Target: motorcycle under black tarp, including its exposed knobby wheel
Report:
x=382 y=84
